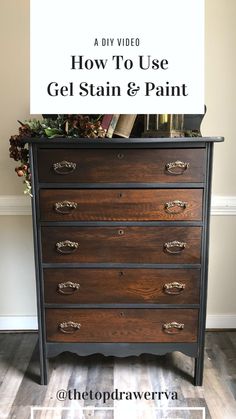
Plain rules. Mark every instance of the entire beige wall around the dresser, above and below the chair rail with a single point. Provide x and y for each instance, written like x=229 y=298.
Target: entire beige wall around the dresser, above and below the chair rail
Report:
x=17 y=295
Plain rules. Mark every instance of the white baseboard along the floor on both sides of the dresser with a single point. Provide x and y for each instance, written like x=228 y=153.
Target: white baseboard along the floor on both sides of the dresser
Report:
x=214 y=321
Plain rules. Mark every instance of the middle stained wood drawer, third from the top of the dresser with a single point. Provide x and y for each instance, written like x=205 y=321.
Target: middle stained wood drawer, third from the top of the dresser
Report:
x=121 y=244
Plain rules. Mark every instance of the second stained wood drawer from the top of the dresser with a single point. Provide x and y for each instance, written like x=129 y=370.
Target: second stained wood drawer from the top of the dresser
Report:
x=121 y=204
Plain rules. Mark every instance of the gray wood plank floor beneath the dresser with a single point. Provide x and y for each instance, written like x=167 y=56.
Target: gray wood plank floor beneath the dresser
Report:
x=19 y=388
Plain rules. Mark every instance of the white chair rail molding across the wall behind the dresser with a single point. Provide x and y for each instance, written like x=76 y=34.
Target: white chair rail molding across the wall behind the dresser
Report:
x=20 y=205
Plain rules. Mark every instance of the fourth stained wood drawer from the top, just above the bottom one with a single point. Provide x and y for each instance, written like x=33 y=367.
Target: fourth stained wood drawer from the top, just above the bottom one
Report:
x=107 y=286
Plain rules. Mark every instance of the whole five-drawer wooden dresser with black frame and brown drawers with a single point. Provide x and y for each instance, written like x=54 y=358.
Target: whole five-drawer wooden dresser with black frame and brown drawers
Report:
x=121 y=233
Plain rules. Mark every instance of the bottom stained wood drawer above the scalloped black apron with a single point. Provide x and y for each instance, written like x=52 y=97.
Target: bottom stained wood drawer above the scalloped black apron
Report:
x=121 y=325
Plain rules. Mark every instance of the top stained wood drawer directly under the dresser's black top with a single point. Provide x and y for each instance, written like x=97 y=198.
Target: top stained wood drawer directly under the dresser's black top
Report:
x=121 y=165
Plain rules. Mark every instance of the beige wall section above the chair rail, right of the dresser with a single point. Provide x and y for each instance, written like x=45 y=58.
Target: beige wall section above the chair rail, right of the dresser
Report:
x=220 y=88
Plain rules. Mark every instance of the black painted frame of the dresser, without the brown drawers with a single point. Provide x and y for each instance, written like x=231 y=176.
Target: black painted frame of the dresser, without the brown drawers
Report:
x=195 y=349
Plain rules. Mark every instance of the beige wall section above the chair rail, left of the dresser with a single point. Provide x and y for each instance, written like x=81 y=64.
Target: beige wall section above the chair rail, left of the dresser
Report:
x=14 y=82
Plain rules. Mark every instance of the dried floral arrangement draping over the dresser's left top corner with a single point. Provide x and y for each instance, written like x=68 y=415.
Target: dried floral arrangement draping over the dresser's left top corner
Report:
x=83 y=126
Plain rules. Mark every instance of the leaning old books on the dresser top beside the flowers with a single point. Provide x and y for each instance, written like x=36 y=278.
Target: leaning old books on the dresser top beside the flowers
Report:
x=118 y=125
